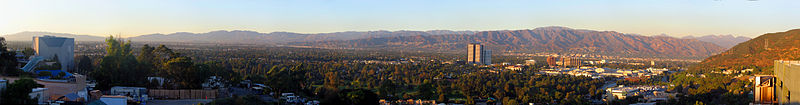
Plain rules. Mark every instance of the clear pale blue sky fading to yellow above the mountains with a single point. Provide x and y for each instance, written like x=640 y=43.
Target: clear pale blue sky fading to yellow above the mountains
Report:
x=646 y=17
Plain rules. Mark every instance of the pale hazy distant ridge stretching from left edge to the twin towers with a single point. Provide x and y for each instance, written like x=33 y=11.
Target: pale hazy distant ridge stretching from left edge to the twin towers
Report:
x=239 y=36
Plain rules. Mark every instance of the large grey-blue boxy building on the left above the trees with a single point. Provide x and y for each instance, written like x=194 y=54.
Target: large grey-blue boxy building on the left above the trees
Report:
x=49 y=47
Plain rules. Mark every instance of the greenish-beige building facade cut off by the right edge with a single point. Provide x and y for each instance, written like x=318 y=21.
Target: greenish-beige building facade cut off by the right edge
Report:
x=787 y=87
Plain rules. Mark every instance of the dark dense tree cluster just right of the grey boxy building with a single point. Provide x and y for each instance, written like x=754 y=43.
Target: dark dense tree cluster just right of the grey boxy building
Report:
x=120 y=67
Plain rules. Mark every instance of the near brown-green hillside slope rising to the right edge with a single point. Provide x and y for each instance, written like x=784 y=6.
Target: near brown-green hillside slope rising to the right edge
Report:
x=759 y=51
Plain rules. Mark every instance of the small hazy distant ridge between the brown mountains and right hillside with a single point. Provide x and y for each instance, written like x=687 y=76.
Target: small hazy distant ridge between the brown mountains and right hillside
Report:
x=726 y=41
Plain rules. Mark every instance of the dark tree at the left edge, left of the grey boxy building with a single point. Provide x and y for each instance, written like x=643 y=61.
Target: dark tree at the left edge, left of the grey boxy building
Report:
x=8 y=62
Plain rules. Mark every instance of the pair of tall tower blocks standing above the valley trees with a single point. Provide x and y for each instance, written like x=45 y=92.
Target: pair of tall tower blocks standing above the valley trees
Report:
x=476 y=54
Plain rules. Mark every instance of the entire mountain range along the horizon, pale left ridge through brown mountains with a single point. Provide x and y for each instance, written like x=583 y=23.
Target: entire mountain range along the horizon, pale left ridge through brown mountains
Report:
x=544 y=39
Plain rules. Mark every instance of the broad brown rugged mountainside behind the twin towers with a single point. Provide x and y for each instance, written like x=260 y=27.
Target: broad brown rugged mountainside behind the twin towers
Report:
x=546 y=39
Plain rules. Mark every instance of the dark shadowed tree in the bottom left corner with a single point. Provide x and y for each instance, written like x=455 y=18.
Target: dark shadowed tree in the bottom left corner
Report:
x=17 y=93
